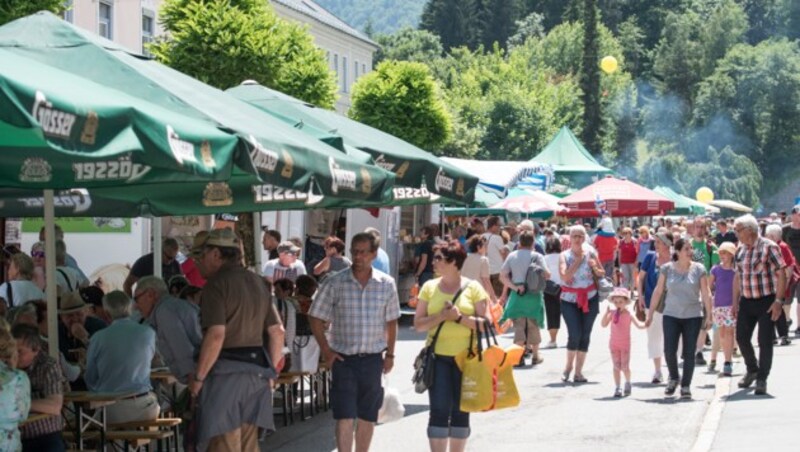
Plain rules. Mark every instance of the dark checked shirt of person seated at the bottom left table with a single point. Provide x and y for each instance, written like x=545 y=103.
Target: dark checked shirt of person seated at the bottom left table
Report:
x=46 y=380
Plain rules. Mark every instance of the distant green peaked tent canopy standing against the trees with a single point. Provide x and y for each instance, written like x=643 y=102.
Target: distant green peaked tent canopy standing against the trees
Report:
x=568 y=156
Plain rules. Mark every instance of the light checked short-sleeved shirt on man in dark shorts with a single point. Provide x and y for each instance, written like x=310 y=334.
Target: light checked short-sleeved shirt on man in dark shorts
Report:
x=358 y=314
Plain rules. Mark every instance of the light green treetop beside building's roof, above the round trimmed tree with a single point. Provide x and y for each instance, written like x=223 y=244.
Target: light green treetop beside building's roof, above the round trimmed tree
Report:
x=409 y=44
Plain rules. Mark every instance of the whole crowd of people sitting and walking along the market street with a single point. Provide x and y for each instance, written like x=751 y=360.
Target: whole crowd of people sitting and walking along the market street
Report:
x=225 y=333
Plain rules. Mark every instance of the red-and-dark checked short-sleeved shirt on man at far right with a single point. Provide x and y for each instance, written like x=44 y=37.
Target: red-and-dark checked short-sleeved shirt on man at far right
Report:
x=758 y=266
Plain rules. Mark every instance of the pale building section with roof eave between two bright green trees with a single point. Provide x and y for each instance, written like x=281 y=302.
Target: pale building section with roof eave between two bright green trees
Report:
x=349 y=51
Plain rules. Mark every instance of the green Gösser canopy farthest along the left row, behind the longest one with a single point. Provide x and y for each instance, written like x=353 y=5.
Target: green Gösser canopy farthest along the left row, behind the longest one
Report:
x=412 y=166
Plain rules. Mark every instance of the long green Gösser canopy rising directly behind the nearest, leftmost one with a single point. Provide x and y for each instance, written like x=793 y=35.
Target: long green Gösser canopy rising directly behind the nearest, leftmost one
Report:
x=277 y=153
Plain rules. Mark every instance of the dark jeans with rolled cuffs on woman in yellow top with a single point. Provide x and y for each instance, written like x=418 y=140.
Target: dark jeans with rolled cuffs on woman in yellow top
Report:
x=446 y=418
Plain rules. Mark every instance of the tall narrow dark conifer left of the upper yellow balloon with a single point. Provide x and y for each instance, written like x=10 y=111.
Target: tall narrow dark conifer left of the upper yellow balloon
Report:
x=590 y=78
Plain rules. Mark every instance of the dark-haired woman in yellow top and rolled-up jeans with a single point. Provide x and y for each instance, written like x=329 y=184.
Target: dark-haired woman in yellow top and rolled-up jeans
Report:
x=447 y=424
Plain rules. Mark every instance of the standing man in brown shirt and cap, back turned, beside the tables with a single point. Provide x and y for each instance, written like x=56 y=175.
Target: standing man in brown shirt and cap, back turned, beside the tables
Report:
x=234 y=375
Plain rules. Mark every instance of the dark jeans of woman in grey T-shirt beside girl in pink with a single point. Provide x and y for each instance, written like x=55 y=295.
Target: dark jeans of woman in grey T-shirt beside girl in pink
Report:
x=676 y=329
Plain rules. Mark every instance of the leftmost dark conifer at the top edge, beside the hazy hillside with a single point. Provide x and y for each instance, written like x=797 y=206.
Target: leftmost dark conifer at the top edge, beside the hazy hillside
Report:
x=452 y=20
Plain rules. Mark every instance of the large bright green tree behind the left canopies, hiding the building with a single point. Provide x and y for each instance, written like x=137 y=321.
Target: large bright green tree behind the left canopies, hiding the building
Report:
x=224 y=42
